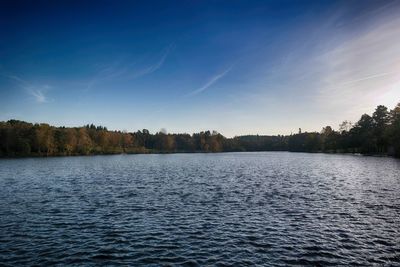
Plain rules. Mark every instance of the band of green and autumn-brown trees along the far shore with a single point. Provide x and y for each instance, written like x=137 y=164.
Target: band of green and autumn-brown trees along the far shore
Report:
x=376 y=134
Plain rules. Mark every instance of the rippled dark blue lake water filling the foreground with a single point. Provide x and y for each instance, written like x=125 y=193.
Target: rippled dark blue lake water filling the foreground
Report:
x=272 y=208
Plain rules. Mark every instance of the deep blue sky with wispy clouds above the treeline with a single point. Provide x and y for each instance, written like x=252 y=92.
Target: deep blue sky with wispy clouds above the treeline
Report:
x=237 y=67
